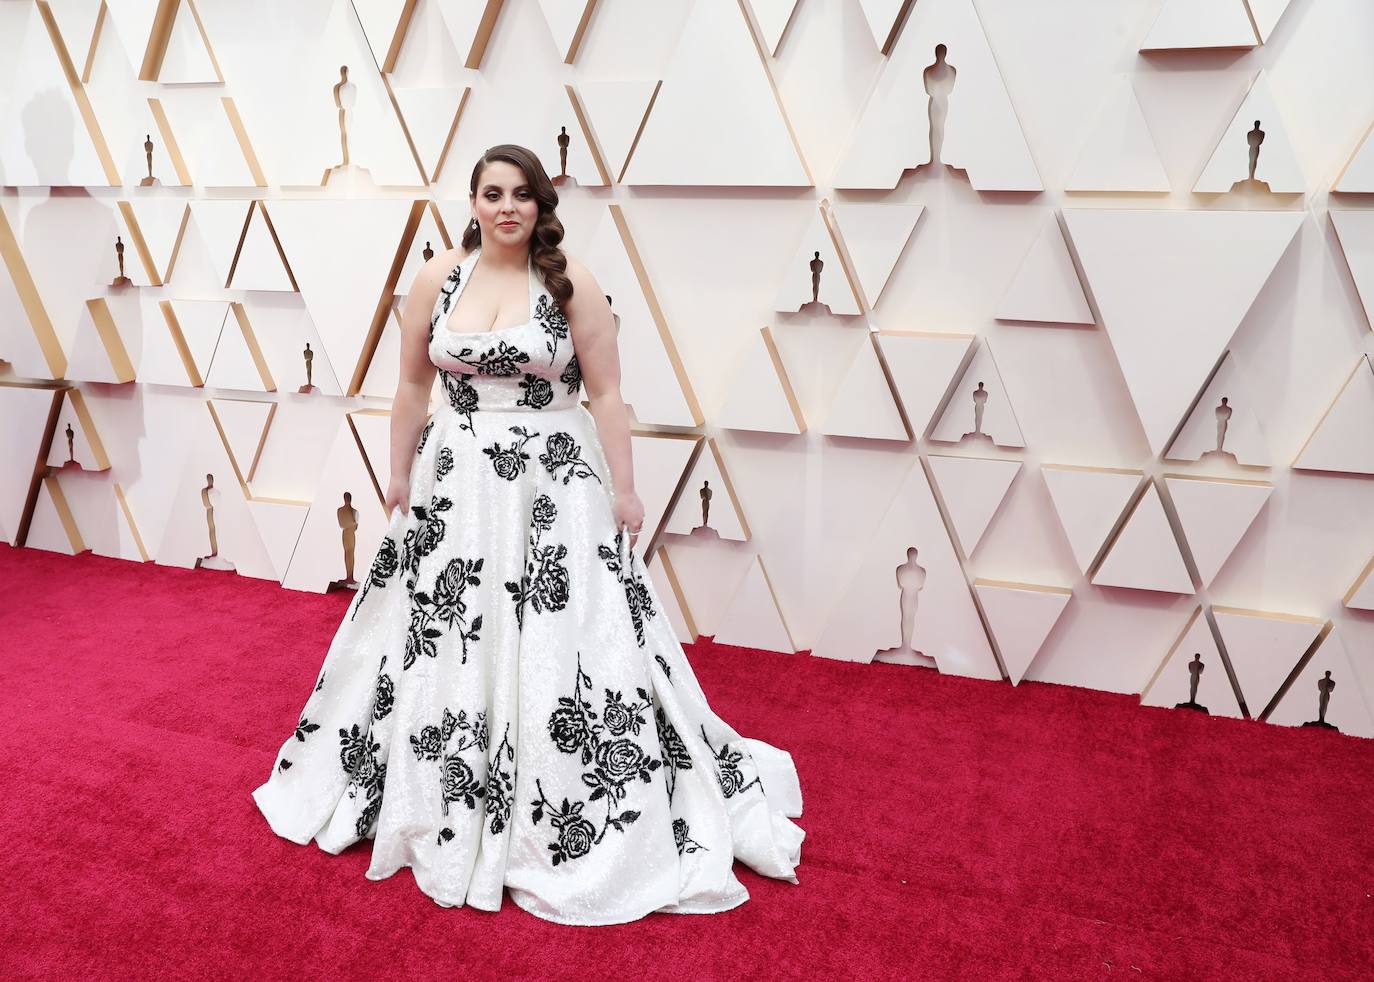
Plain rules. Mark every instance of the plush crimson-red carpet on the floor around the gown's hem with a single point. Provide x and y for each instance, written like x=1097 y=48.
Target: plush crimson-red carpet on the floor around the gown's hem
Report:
x=956 y=829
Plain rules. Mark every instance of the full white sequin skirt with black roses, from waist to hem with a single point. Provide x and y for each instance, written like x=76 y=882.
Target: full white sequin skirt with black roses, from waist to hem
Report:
x=506 y=705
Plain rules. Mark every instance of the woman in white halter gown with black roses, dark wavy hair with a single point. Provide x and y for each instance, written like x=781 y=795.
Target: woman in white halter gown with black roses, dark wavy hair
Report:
x=506 y=705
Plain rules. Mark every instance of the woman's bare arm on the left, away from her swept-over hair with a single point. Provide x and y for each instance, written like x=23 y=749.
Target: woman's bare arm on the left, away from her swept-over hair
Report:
x=417 y=377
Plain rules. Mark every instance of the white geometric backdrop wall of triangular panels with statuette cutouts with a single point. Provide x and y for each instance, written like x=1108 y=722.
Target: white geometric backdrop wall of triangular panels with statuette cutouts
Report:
x=762 y=112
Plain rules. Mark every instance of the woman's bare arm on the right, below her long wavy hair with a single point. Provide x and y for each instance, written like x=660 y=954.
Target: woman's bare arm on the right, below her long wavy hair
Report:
x=598 y=358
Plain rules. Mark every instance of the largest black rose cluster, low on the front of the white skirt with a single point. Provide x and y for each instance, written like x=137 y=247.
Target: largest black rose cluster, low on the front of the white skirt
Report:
x=611 y=762
